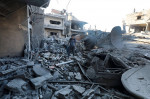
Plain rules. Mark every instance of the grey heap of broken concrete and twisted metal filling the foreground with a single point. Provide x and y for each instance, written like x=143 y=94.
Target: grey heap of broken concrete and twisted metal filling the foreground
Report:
x=50 y=74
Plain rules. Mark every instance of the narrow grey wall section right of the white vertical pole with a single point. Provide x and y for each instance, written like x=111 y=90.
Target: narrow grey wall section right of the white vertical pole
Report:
x=37 y=34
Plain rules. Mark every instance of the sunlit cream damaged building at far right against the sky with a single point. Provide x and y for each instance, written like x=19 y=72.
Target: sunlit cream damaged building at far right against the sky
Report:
x=138 y=21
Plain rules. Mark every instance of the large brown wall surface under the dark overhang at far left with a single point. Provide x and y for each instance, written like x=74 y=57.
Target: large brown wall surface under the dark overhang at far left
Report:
x=12 y=35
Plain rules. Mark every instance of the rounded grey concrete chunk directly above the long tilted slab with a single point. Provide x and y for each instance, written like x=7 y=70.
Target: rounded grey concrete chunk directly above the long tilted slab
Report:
x=40 y=71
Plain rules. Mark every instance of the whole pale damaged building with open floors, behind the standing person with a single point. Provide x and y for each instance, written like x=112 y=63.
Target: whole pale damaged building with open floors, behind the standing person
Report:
x=63 y=24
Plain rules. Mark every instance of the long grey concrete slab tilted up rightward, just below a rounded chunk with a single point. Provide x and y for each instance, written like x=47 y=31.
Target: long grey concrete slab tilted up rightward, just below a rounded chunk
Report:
x=38 y=82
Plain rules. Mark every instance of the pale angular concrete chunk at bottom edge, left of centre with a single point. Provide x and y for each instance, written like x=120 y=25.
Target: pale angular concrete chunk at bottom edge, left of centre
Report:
x=62 y=93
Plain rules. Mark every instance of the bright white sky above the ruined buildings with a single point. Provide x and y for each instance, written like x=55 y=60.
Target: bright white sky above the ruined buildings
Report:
x=105 y=14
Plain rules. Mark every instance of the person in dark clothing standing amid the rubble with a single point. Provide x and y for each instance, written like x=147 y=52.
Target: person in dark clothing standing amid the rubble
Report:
x=71 y=45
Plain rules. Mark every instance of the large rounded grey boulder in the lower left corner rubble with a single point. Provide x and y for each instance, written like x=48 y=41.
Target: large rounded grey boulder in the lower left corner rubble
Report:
x=15 y=85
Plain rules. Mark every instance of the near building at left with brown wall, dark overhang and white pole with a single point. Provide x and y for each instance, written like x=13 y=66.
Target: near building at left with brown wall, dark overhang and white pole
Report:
x=18 y=25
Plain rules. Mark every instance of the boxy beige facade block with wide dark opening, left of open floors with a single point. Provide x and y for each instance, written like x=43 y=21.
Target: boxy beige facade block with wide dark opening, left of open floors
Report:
x=53 y=25
